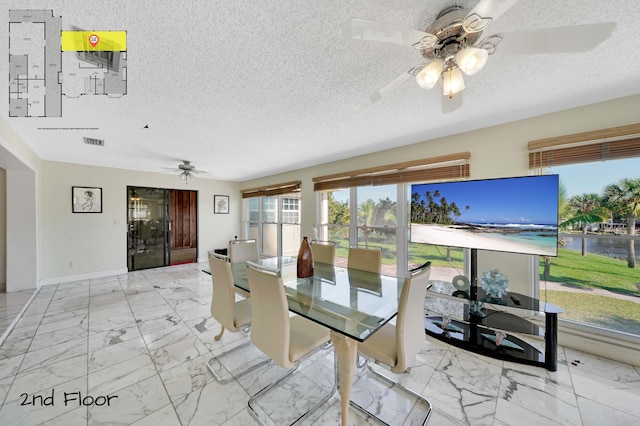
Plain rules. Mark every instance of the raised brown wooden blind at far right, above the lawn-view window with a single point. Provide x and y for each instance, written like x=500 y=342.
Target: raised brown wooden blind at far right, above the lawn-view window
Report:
x=598 y=145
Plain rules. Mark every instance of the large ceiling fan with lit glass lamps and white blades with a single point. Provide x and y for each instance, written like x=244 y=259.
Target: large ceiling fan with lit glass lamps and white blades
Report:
x=452 y=46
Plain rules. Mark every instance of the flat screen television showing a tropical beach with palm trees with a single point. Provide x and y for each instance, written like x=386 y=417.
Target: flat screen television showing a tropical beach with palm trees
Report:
x=516 y=215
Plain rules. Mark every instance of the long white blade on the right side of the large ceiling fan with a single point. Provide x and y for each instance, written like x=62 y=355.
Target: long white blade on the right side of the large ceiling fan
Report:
x=576 y=38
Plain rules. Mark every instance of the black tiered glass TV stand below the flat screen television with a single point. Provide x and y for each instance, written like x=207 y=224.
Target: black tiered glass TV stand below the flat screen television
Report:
x=475 y=322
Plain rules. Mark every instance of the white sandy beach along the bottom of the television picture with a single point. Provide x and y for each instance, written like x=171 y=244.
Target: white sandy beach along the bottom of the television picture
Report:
x=453 y=236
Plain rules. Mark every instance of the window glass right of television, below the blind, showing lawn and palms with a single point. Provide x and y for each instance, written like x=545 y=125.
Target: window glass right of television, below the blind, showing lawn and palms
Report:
x=595 y=276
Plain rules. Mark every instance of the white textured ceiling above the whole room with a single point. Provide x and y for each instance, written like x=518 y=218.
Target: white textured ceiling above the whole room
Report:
x=249 y=89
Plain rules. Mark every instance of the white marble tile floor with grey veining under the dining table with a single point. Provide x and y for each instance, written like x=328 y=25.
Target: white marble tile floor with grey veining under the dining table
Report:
x=132 y=350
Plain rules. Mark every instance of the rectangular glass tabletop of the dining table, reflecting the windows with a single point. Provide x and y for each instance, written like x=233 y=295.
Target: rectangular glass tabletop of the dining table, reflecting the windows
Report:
x=352 y=302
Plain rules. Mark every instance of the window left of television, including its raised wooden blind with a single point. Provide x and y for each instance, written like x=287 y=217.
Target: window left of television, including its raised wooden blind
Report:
x=368 y=208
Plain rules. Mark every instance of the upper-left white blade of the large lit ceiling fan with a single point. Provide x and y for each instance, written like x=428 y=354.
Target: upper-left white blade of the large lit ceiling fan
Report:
x=363 y=29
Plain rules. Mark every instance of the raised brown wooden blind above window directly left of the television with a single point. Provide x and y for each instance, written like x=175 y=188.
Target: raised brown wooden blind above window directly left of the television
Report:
x=452 y=166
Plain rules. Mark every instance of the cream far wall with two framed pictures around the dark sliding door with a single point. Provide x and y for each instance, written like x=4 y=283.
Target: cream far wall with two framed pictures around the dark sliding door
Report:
x=76 y=246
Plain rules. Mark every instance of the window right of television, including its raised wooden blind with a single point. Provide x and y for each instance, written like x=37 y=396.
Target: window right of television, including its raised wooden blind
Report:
x=595 y=276
